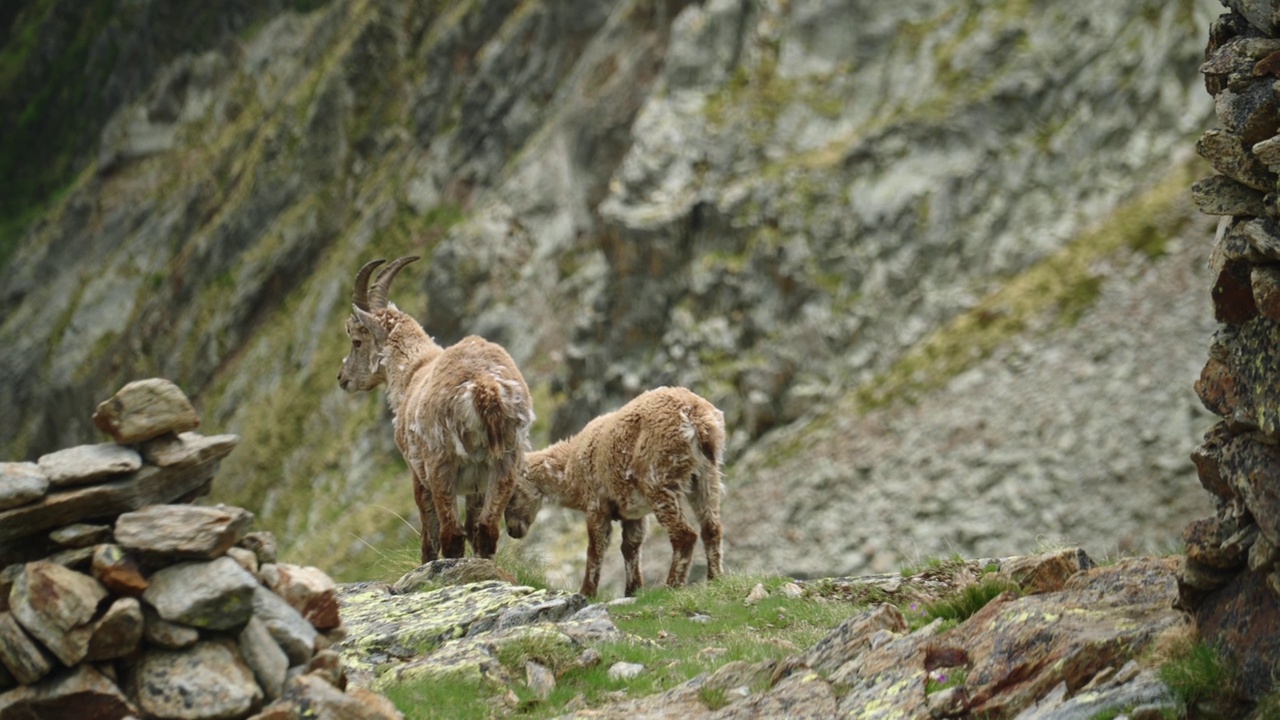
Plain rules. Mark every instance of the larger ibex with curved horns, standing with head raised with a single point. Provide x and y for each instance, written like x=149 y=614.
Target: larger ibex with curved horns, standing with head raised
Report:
x=463 y=416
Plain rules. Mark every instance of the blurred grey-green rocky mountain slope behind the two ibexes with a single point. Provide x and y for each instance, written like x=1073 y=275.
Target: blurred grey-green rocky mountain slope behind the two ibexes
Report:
x=771 y=203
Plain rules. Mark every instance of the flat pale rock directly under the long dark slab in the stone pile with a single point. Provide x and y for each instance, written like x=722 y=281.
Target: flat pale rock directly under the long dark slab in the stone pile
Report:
x=182 y=531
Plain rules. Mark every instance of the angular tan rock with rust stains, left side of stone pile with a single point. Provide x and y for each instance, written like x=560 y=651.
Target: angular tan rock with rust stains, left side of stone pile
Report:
x=56 y=605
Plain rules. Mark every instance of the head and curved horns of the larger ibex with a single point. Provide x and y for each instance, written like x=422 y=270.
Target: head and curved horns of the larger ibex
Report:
x=363 y=368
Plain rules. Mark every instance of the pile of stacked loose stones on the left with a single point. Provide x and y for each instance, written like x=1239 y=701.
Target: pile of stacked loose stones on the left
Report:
x=120 y=599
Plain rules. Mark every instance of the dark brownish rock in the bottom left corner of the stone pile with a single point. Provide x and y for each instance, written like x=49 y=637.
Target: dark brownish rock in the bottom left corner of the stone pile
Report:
x=81 y=692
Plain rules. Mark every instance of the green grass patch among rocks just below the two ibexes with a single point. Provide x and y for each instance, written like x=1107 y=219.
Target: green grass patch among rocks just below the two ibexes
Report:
x=676 y=635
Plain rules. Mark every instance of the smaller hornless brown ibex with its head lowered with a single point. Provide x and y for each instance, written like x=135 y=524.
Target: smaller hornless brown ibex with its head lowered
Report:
x=656 y=452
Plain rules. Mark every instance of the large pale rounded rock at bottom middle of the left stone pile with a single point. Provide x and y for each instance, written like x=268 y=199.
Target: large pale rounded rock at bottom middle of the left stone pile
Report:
x=208 y=681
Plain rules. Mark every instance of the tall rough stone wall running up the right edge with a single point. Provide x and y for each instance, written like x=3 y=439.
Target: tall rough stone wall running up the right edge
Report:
x=1232 y=577
